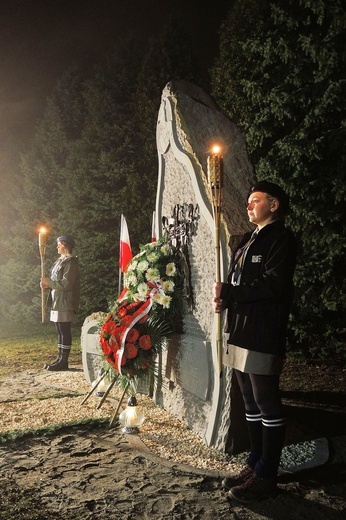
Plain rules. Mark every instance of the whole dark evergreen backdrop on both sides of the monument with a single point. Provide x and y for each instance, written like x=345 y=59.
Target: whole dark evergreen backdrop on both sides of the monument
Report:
x=279 y=74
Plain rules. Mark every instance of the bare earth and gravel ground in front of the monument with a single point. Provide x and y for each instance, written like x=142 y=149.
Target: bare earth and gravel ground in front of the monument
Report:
x=84 y=472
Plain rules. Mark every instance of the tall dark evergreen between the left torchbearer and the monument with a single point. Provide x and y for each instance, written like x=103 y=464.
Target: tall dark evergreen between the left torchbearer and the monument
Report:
x=101 y=181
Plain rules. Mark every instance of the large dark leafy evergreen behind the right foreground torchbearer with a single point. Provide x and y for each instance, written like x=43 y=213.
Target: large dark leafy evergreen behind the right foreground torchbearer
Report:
x=281 y=77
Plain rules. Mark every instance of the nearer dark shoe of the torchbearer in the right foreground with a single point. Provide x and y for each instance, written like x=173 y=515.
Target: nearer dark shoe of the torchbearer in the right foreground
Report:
x=255 y=488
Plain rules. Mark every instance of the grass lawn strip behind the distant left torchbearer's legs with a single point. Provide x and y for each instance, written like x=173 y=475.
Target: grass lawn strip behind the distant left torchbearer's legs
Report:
x=30 y=347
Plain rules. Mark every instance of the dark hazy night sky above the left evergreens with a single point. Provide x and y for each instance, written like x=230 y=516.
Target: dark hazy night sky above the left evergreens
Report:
x=39 y=39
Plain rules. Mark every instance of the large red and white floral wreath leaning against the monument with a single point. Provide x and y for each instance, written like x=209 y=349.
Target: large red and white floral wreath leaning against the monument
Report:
x=146 y=312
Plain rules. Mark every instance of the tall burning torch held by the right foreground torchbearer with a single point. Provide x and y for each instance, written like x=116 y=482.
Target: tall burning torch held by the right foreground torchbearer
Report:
x=215 y=178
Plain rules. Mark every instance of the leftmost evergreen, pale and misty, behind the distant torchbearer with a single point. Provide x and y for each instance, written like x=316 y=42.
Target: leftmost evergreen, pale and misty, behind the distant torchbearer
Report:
x=37 y=202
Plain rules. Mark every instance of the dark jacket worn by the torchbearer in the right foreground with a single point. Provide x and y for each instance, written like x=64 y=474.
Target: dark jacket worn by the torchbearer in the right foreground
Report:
x=259 y=306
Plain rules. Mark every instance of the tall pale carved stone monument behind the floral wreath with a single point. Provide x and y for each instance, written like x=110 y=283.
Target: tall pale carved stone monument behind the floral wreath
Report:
x=189 y=123
